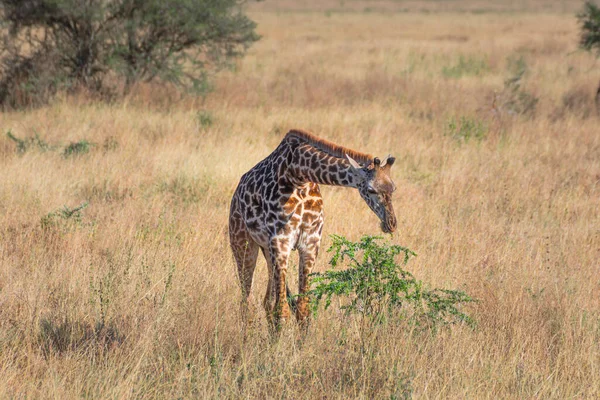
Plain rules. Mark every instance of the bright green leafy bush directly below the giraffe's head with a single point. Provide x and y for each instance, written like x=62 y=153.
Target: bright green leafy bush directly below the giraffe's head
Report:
x=378 y=289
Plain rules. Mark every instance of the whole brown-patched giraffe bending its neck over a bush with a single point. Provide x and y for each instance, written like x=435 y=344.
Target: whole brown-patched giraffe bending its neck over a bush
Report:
x=277 y=207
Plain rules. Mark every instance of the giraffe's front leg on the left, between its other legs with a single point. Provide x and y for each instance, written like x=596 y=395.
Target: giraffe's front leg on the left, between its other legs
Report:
x=276 y=304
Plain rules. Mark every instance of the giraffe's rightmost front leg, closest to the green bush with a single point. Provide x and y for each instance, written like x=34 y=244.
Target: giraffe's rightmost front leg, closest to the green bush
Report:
x=308 y=255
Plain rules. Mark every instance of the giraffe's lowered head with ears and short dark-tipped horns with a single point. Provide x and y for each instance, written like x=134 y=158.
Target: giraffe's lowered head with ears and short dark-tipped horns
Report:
x=376 y=187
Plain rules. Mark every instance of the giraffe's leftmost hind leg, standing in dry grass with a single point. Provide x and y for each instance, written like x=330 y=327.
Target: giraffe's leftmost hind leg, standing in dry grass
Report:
x=245 y=251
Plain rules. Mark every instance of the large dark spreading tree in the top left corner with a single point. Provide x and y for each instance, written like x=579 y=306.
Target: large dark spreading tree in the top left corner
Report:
x=49 y=45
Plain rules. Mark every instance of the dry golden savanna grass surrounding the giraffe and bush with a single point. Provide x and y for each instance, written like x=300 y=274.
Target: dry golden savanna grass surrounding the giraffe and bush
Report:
x=488 y=107
